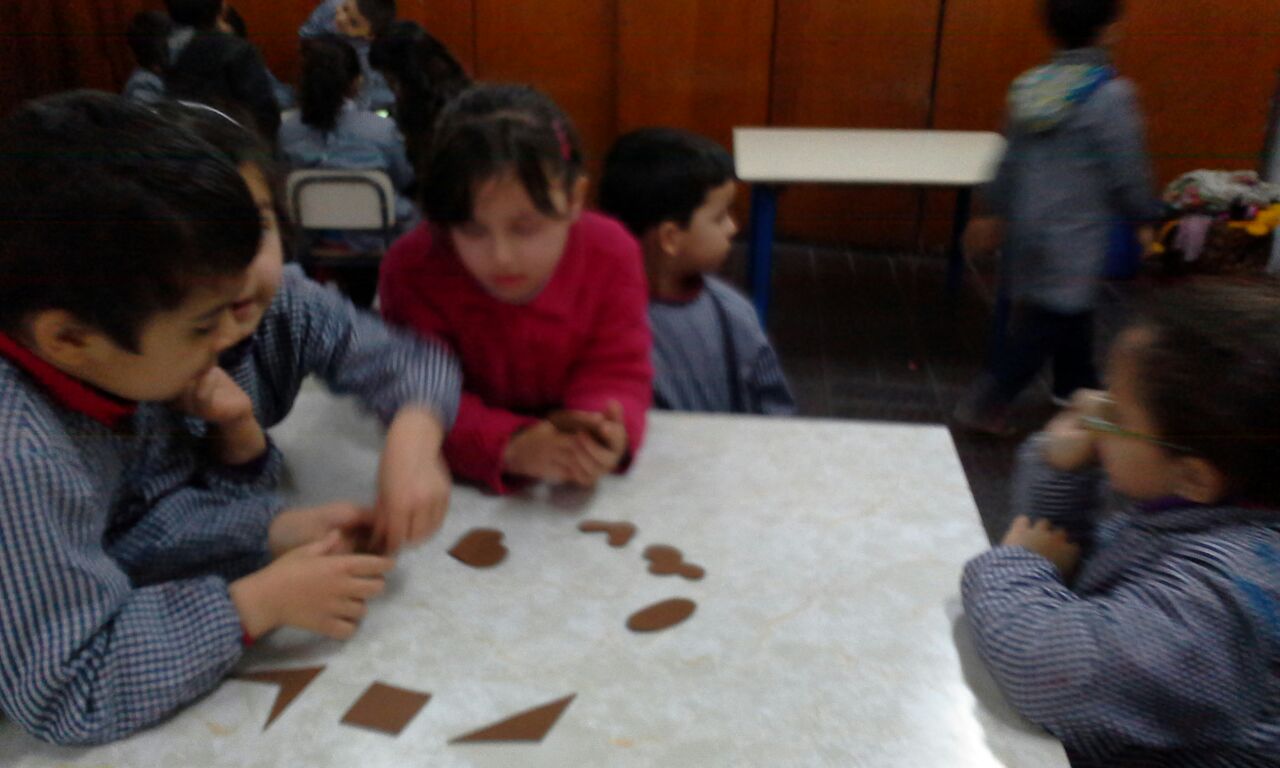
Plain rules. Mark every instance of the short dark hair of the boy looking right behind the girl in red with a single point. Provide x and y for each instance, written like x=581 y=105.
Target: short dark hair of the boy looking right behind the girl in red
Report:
x=661 y=175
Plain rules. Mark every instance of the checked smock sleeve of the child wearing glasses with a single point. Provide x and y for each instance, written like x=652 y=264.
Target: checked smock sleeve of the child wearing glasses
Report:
x=1162 y=661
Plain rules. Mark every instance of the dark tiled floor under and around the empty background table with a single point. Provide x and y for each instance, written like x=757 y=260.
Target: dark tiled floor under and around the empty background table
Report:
x=872 y=336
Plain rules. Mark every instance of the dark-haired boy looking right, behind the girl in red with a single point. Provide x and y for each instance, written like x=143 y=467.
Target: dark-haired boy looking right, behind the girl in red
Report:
x=674 y=190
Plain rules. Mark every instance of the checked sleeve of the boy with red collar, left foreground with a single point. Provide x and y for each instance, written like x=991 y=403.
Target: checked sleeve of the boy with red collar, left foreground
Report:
x=88 y=657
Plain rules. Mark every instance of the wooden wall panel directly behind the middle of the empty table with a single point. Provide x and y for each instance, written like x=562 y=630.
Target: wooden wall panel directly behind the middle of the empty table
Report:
x=867 y=65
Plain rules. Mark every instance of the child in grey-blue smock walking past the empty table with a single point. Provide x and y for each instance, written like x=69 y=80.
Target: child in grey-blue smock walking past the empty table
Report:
x=1076 y=166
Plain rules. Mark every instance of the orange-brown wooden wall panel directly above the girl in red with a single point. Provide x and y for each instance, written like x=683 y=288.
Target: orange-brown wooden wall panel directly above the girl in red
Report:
x=565 y=48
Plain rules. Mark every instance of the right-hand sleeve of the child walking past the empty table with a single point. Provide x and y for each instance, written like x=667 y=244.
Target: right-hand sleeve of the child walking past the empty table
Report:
x=1122 y=138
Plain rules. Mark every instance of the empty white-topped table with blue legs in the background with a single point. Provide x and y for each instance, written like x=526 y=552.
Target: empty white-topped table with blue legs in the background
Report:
x=769 y=158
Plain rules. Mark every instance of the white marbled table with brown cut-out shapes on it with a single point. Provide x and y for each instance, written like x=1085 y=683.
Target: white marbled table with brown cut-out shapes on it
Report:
x=828 y=633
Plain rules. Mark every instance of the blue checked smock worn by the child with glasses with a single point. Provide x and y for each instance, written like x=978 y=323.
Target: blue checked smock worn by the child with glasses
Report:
x=1165 y=651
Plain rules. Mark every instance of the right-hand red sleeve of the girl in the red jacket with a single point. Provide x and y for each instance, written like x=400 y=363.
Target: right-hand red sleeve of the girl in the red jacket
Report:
x=616 y=364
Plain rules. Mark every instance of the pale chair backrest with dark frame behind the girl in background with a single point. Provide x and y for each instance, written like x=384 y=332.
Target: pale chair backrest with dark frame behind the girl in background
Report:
x=354 y=200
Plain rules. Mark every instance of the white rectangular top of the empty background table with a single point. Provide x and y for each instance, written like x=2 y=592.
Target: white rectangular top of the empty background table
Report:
x=860 y=157
